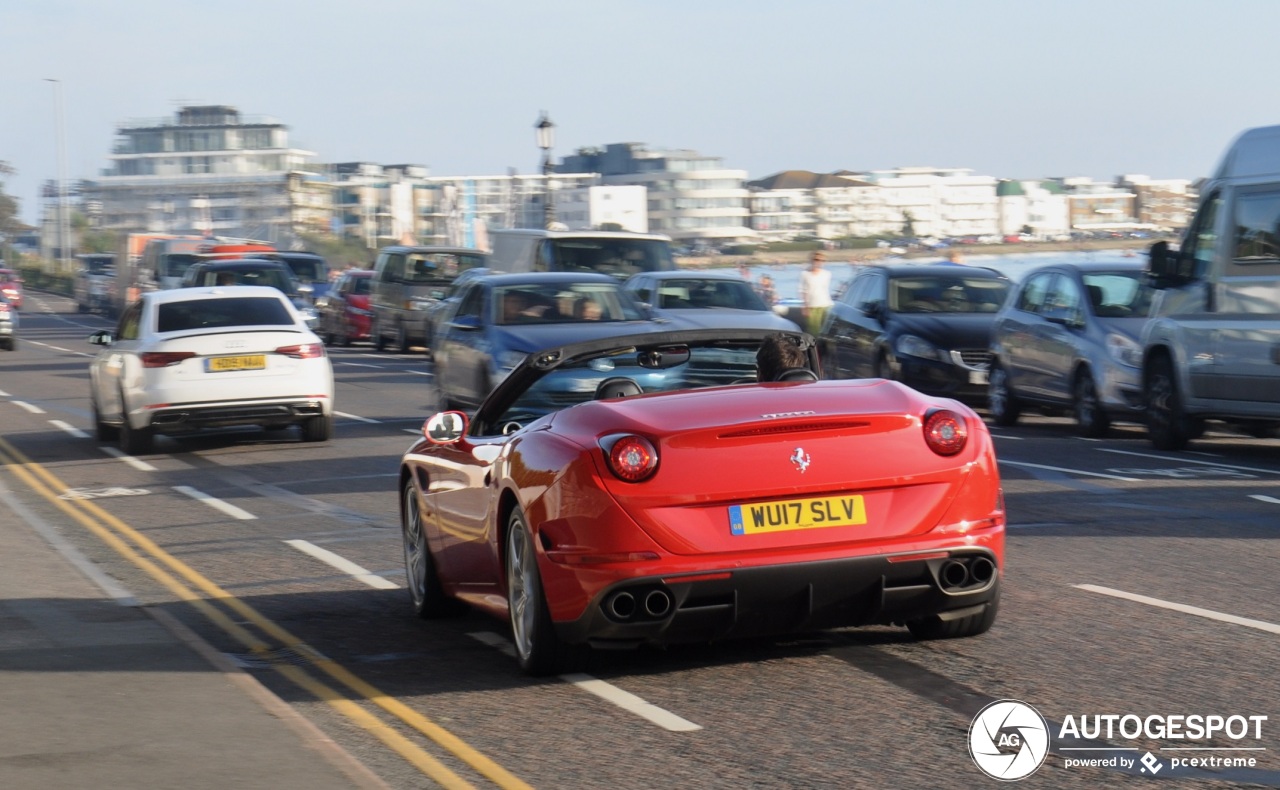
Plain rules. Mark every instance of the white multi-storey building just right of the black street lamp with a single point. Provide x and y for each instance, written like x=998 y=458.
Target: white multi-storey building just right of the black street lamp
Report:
x=693 y=199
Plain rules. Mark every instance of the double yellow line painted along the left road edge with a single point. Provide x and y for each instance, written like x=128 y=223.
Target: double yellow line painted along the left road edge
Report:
x=211 y=601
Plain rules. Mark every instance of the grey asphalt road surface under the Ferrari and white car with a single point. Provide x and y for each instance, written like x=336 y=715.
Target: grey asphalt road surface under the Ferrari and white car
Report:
x=1137 y=583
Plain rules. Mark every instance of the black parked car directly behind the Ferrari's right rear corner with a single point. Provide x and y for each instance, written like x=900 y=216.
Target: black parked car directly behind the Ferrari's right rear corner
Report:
x=925 y=326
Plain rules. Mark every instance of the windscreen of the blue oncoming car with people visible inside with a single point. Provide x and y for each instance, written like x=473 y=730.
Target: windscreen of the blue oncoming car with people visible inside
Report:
x=564 y=304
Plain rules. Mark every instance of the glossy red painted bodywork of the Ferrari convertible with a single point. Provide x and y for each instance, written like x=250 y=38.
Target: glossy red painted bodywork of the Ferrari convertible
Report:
x=719 y=447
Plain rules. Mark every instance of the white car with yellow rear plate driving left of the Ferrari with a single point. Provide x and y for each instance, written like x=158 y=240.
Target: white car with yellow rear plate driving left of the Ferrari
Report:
x=190 y=359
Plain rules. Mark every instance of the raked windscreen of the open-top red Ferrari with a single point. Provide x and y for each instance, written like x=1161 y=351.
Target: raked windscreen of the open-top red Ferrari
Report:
x=578 y=382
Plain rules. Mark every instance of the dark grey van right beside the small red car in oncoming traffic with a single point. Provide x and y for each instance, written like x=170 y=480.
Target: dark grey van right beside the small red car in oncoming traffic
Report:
x=408 y=281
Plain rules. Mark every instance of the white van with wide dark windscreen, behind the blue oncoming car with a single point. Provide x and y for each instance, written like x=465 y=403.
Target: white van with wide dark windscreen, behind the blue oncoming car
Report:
x=605 y=252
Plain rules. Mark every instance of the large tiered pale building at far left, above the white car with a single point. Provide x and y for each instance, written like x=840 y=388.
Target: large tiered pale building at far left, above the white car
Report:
x=211 y=170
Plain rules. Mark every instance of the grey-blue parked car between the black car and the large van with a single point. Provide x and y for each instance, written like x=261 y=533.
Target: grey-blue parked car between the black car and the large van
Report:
x=1068 y=339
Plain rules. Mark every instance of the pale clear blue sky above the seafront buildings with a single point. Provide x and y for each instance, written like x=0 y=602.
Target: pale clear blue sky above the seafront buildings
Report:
x=1011 y=89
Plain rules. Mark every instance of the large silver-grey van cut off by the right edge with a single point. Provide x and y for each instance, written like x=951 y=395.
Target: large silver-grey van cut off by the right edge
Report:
x=1213 y=350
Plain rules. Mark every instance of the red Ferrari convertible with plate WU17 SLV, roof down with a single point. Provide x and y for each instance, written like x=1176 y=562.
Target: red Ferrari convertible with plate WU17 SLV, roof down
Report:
x=647 y=490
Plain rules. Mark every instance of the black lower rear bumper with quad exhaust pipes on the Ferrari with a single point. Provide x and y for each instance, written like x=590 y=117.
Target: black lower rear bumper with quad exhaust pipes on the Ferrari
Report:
x=788 y=599
